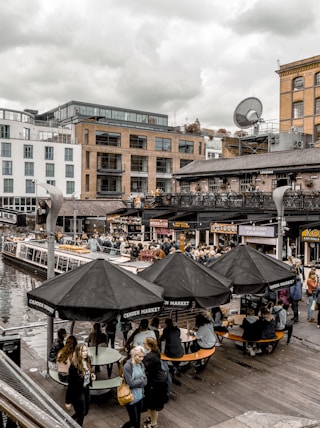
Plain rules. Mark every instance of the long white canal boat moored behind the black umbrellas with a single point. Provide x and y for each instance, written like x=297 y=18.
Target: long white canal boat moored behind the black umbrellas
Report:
x=33 y=256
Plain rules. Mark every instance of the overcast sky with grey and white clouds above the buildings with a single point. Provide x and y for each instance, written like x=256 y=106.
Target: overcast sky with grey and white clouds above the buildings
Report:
x=185 y=58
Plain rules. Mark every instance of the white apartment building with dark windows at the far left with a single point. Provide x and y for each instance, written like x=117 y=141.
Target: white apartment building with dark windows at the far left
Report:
x=35 y=152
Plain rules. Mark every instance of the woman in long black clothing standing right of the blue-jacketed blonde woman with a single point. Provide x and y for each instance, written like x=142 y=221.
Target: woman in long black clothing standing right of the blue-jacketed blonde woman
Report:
x=156 y=388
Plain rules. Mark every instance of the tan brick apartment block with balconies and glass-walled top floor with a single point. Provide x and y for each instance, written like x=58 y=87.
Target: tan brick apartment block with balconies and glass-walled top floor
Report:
x=126 y=151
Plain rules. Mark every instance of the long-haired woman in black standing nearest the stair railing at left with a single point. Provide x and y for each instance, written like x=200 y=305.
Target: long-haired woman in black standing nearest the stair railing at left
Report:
x=80 y=379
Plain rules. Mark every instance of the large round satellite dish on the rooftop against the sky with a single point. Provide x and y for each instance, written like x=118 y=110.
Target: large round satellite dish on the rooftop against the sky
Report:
x=248 y=113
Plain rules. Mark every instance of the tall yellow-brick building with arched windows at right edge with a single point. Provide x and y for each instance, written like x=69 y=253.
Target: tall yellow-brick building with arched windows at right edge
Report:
x=300 y=97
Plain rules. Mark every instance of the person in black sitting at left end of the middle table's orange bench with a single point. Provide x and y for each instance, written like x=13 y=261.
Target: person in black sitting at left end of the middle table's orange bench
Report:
x=173 y=346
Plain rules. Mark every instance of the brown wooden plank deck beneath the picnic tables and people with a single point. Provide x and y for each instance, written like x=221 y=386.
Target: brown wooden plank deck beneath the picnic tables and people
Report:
x=285 y=382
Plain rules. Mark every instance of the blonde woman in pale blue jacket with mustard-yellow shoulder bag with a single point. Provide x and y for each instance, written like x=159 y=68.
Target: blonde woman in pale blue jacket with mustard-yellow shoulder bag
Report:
x=135 y=376
